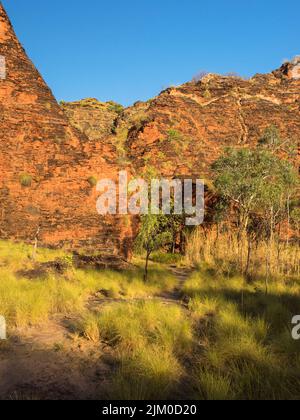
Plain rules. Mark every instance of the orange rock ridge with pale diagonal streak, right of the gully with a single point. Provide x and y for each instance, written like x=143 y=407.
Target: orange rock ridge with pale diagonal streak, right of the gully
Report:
x=187 y=127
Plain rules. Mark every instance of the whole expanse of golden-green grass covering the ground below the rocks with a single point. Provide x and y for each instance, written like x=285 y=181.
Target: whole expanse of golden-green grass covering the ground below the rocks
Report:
x=232 y=342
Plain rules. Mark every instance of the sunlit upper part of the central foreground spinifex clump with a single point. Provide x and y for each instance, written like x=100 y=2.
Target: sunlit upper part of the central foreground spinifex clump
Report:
x=133 y=325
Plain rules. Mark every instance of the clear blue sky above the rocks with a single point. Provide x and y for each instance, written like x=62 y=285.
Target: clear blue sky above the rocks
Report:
x=129 y=50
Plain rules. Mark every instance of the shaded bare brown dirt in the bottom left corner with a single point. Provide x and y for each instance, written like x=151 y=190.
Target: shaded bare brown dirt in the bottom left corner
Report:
x=34 y=372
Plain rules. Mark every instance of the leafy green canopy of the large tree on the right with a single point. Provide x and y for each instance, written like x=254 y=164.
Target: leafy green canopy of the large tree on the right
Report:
x=254 y=180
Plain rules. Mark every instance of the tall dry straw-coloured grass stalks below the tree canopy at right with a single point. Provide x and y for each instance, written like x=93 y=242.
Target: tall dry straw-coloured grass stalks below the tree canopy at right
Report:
x=227 y=253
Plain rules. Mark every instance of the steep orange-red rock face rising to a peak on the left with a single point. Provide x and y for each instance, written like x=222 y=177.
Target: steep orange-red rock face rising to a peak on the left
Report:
x=45 y=164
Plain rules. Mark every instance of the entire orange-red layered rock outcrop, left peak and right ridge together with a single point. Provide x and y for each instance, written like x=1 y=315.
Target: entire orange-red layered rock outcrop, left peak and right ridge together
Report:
x=50 y=153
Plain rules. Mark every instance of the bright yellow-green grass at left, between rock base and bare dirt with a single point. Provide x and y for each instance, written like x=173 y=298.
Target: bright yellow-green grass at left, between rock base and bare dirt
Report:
x=25 y=301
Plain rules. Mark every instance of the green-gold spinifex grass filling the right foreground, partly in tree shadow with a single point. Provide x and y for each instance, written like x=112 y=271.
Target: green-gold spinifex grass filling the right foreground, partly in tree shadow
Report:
x=248 y=350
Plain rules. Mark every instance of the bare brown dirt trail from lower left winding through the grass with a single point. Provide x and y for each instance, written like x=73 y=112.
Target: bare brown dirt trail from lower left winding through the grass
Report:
x=49 y=362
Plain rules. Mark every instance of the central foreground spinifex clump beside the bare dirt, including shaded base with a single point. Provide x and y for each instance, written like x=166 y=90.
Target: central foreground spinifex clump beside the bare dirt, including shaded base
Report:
x=149 y=339
